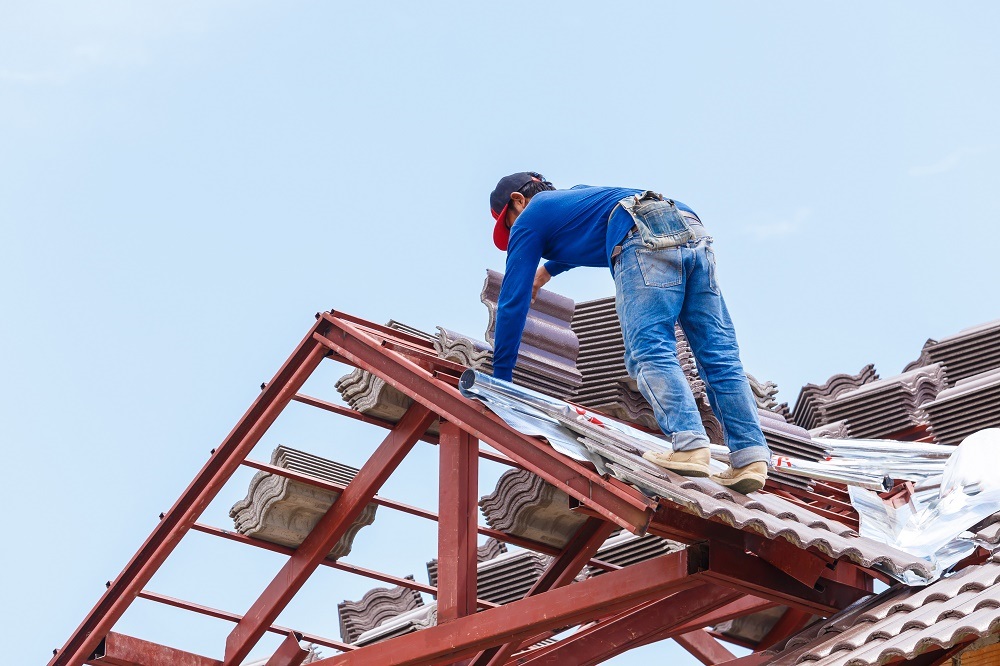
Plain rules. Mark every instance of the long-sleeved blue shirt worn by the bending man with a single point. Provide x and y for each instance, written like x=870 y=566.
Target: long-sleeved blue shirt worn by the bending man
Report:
x=569 y=228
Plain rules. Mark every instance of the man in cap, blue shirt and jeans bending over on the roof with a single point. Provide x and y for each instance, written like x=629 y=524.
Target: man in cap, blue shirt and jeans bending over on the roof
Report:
x=664 y=270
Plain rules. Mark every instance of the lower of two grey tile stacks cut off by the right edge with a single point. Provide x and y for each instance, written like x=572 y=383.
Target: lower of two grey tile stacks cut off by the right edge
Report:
x=971 y=405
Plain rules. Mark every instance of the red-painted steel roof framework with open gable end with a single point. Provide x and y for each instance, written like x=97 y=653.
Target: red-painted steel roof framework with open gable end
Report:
x=724 y=573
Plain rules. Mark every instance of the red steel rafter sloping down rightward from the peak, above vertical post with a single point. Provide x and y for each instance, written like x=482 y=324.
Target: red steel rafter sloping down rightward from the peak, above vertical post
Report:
x=612 y=499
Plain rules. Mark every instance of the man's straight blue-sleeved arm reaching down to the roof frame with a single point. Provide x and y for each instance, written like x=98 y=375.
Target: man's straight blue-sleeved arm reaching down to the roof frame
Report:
x=523 y=254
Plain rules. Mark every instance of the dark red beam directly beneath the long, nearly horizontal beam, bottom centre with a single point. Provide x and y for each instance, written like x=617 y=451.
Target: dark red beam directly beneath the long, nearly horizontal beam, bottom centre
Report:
x=630 y=628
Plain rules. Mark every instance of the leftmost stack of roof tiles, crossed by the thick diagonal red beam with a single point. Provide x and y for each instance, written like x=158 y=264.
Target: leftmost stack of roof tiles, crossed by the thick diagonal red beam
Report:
x=280 y=510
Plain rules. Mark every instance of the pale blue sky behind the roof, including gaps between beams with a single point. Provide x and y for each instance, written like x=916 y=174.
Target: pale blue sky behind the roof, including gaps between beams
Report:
x=182 y=185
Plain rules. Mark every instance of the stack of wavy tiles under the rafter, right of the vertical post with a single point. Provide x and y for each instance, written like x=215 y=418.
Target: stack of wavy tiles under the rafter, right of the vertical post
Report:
x=524 y=505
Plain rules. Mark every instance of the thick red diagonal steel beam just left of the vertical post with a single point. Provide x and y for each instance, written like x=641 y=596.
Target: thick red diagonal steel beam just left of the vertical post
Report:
x=330 y=528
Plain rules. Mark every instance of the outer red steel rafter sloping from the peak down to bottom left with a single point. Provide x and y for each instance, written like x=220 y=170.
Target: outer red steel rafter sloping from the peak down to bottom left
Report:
x=202 y=490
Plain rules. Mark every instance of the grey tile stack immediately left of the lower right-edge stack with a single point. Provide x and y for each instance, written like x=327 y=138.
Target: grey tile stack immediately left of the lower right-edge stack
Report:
x=886 y=406
